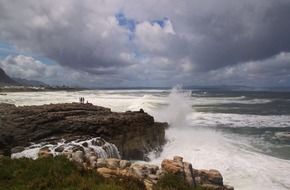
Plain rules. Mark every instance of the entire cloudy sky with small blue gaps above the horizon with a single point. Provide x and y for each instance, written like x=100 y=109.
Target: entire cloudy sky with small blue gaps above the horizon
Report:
x=119 y=43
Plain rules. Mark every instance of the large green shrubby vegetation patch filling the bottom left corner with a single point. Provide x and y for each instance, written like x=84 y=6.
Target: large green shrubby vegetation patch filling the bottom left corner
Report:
x=56 y=174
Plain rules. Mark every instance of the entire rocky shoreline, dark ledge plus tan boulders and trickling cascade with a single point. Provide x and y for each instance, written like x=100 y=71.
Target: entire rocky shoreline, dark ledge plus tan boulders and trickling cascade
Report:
x=97 y=139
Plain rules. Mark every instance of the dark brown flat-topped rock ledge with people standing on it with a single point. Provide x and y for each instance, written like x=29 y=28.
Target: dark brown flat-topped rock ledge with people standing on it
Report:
x=134 y=133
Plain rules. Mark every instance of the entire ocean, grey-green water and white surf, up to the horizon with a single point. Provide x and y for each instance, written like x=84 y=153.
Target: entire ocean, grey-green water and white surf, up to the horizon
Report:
x=243 y=134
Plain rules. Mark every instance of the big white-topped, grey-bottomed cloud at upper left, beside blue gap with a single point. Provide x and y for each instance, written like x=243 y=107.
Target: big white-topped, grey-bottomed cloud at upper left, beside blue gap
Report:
x=68 y=32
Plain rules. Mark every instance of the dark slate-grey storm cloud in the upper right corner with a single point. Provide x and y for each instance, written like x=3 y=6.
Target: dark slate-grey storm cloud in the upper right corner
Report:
x=236 y=36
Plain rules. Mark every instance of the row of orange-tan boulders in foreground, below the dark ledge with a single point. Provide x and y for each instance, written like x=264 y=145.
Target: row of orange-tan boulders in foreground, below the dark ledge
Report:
x=150 y=174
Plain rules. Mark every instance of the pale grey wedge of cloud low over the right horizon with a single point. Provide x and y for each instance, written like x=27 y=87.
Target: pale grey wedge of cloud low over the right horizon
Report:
x=274 y=71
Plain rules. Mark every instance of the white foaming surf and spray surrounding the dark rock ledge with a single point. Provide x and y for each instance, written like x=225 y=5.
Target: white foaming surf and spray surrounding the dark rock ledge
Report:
x=239 y=163
